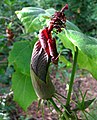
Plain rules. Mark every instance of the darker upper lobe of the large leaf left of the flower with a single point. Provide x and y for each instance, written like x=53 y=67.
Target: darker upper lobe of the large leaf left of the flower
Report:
x=20 y=56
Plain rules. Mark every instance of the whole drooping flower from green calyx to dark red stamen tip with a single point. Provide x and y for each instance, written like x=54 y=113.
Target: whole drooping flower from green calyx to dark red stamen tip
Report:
x=44 y=52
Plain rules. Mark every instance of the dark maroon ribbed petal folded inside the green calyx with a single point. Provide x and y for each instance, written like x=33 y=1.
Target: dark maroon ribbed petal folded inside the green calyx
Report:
x=40 y=61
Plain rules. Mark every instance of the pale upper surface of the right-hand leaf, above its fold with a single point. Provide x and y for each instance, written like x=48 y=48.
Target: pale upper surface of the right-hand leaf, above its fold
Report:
x=86 y=44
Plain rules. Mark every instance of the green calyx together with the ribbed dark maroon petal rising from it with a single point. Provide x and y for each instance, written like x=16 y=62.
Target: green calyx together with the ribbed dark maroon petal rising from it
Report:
x=39 y=72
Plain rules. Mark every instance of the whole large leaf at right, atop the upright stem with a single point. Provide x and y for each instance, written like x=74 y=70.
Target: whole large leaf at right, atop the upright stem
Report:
x=87 y=57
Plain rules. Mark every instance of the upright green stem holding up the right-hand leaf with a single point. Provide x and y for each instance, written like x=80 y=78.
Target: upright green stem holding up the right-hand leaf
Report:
x=72 y=78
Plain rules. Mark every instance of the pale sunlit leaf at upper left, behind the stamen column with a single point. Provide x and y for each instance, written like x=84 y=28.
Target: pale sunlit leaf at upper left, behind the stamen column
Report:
x=33 y=18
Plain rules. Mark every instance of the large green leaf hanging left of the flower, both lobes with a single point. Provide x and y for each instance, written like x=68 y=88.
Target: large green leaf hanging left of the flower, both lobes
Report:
x=20 y=57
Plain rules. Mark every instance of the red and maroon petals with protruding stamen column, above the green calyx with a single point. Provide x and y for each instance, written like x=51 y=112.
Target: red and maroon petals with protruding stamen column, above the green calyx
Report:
x=45 y=49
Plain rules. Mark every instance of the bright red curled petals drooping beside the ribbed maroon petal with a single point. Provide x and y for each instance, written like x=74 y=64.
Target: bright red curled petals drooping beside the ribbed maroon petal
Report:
x=48 y=44
